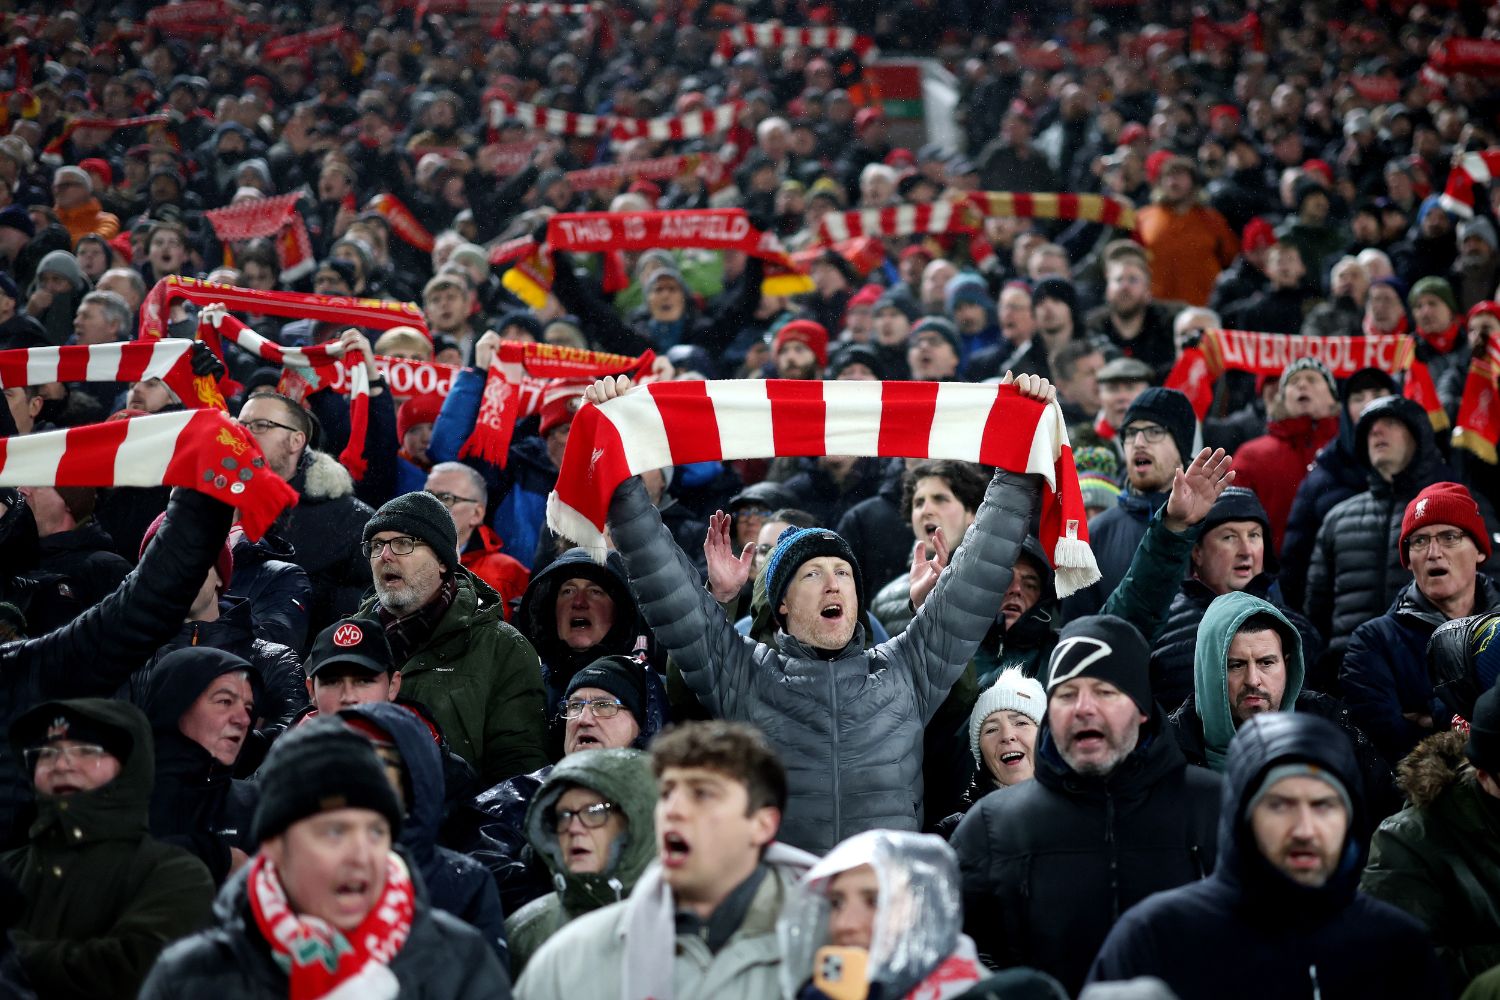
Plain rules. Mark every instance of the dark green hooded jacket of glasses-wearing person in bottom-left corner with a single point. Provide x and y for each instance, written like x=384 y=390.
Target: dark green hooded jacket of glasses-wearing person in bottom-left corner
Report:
x=103 y=899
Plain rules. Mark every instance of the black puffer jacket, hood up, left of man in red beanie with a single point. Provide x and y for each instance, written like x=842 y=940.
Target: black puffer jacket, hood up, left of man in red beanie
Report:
x=1357 y=570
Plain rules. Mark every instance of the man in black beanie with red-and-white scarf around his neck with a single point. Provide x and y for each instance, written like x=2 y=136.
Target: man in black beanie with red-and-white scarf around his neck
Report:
x=328 y=908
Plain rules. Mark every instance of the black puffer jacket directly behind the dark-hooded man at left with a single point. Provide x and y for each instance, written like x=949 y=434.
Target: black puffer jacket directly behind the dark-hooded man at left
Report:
x=284 y=686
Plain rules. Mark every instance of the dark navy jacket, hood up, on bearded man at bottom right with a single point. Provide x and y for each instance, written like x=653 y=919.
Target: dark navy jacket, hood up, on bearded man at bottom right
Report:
x=1250 y=932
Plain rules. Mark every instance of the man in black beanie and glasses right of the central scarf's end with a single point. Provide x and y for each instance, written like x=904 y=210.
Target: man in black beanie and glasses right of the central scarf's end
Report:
x=1156 y=440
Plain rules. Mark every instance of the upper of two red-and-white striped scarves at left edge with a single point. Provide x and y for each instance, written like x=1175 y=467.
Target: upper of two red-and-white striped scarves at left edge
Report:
x=169 y=361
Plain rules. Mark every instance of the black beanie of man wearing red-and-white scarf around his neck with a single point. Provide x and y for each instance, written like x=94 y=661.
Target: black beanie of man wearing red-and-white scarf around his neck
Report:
x=317 y=768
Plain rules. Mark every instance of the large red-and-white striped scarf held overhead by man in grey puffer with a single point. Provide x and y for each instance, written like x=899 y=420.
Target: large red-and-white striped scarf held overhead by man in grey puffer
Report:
x=676 y=424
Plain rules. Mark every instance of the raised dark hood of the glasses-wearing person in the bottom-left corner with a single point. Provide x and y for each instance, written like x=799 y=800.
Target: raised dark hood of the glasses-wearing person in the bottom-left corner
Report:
x=119 y=810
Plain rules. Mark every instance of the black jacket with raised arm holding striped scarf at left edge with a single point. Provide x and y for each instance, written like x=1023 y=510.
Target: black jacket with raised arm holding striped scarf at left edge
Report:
x=97 y=653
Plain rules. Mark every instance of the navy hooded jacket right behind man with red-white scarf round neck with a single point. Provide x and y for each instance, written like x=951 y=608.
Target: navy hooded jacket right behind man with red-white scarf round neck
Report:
x=455 y=882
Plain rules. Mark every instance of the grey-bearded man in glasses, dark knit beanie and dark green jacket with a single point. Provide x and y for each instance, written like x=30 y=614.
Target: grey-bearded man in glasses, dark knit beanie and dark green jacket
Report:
x=476 y=675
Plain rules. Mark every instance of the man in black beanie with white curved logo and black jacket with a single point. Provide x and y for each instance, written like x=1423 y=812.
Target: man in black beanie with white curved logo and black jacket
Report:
x=1114 y=815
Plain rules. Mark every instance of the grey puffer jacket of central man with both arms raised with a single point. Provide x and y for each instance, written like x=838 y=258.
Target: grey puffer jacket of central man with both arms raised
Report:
x=850 y=729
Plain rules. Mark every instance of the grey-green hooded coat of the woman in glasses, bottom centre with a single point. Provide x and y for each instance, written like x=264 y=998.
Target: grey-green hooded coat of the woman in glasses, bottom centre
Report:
x=622 y=777
